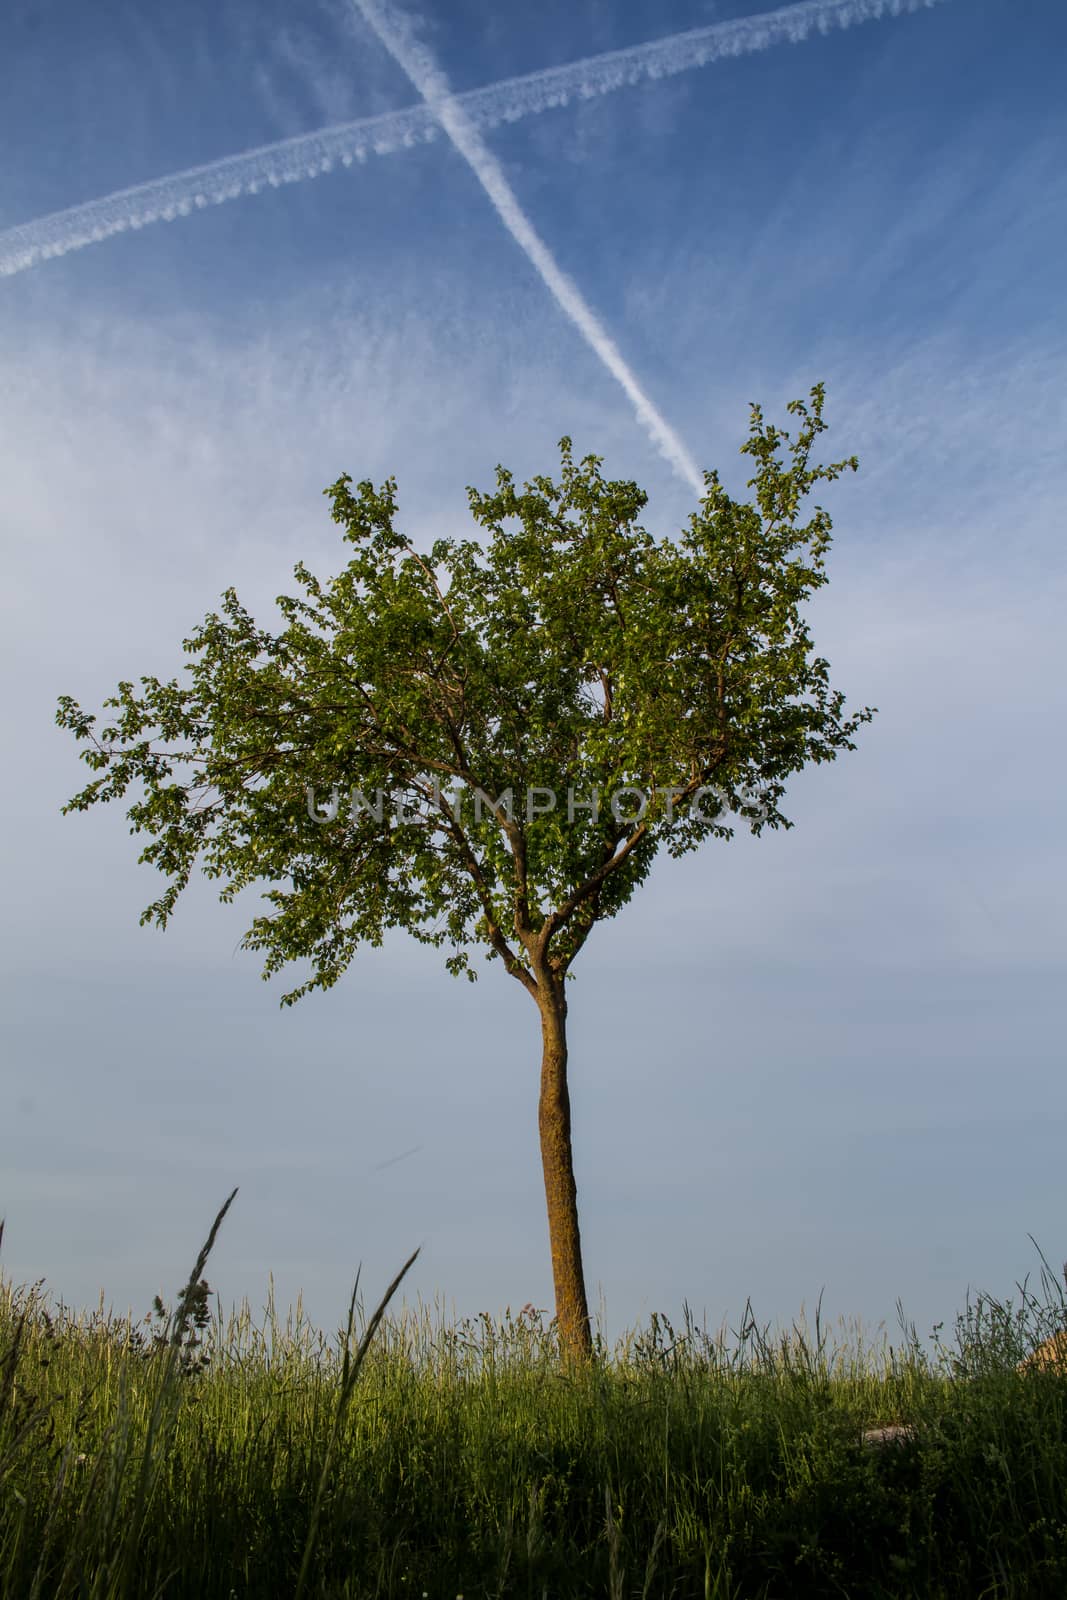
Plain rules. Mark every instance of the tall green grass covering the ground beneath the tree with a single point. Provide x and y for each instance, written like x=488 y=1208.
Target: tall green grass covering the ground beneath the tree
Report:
x=190 y=1457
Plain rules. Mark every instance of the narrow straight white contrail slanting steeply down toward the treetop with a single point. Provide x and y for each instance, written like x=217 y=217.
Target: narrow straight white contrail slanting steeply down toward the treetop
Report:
x=433 y=86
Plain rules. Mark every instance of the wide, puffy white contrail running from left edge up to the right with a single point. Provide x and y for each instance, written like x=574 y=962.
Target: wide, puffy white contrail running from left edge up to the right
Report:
x=511 y=100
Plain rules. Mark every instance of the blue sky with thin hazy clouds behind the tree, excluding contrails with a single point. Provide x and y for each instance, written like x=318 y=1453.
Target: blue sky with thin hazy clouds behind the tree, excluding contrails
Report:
x=821 y=1060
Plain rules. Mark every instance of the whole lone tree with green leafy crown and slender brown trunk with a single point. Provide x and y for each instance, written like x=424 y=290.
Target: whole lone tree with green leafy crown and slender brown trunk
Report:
x=489 y=745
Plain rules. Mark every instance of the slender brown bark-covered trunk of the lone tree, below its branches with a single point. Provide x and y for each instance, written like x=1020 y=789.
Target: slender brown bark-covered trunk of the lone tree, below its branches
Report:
x=554 y=1122
